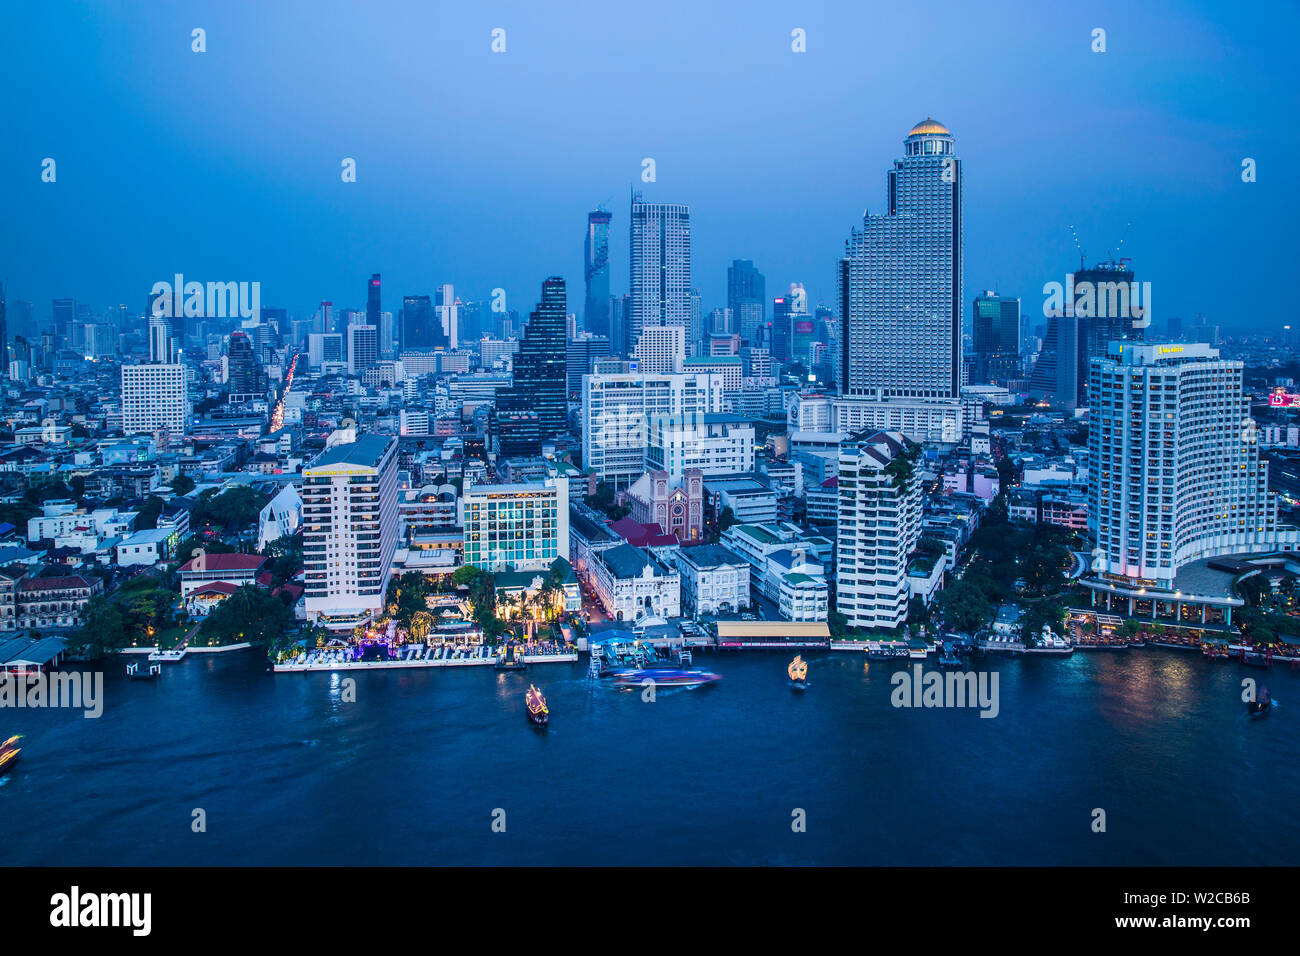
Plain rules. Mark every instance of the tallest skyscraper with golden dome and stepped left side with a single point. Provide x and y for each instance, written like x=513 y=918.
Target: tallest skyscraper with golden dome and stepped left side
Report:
x=902 y=282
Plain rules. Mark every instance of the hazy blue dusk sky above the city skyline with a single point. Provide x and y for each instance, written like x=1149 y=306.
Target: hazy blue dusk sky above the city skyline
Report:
x=479 y=168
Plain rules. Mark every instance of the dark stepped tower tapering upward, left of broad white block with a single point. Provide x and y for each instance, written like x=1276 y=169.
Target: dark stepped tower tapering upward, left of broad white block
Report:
x=540 y=378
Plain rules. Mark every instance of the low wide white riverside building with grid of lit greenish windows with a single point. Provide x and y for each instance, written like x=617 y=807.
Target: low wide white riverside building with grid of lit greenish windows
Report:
x=521 y=527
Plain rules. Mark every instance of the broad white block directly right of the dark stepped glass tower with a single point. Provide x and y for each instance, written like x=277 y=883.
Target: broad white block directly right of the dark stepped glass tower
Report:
x=617 y=408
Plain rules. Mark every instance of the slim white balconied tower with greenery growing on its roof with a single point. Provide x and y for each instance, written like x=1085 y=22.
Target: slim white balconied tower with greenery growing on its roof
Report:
x=879 y=525
